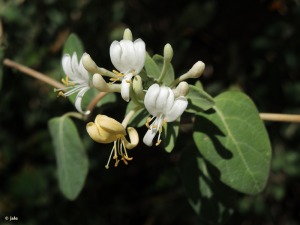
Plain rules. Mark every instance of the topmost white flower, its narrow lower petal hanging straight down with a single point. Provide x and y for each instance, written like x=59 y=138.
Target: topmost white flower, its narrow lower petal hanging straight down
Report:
x=128 y=58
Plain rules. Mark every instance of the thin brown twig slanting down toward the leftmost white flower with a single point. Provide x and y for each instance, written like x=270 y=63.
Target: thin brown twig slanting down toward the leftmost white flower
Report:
x=33 y=73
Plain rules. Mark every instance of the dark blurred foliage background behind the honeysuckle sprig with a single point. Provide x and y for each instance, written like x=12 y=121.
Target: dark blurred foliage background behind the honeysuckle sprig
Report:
x=249 y=45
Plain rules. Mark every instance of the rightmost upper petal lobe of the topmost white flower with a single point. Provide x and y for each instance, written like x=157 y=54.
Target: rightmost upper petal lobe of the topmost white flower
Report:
x=140 y=55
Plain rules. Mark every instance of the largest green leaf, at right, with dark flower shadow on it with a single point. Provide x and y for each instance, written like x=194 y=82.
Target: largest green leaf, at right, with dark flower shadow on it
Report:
x=232 y=137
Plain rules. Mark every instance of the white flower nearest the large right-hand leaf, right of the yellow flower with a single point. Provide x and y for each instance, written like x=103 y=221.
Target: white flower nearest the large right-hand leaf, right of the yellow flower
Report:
x=164 y=107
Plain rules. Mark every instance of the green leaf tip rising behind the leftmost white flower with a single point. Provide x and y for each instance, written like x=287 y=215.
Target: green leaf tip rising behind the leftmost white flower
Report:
x=73 y=44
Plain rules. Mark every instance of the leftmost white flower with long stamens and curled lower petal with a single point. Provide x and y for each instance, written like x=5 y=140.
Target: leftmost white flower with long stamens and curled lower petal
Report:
x=77 y=79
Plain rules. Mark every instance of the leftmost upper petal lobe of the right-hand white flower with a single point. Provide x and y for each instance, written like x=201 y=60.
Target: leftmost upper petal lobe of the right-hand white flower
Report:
x=150 y=99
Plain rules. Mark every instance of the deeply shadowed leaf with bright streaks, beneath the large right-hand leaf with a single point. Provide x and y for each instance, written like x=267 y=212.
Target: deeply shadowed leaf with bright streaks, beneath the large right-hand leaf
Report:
x=209 y=197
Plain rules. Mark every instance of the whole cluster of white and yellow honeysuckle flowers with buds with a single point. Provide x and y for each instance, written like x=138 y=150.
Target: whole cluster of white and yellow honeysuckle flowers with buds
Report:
x=164 y=102
